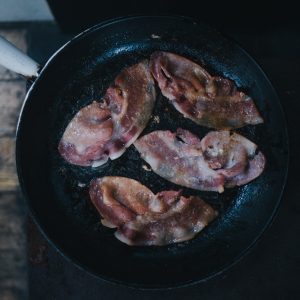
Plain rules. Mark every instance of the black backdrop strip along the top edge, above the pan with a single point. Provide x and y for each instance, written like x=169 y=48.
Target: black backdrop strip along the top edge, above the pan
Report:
x=74 y=16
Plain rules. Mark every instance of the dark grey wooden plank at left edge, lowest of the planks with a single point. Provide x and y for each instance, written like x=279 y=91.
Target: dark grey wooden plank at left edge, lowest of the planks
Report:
x=13 y=264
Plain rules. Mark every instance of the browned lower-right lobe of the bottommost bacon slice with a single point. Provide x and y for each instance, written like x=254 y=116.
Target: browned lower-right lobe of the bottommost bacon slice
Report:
x=184 y=219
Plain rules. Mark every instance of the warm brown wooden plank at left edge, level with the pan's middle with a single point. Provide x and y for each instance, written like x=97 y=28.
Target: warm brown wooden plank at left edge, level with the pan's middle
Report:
x=8 y=176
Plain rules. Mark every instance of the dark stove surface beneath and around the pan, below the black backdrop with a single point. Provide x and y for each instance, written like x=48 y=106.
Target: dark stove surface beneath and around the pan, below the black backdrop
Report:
x=271 y=270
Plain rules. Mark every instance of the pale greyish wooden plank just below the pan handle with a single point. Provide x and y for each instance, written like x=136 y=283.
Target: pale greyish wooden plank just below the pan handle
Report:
x=12 y=94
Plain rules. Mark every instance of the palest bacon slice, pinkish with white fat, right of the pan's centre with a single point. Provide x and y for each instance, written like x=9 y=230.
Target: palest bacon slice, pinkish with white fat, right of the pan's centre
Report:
x=220 y=160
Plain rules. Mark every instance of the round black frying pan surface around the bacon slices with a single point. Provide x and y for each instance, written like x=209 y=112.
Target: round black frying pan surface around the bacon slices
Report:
x=80 y=72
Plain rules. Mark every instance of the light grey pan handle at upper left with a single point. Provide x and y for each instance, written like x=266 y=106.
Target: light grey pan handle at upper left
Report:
x=15 y=60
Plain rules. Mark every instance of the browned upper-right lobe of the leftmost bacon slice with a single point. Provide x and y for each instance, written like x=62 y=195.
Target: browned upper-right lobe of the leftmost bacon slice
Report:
x=131 y=101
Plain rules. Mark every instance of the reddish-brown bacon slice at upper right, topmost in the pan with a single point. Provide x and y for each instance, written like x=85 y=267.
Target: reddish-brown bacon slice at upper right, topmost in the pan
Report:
x=211 y=101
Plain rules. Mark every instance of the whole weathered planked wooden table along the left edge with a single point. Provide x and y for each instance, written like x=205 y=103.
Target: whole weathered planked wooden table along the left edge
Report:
x=13 y=273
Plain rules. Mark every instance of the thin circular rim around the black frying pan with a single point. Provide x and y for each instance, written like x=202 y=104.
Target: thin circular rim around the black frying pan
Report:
x=140 y=286
